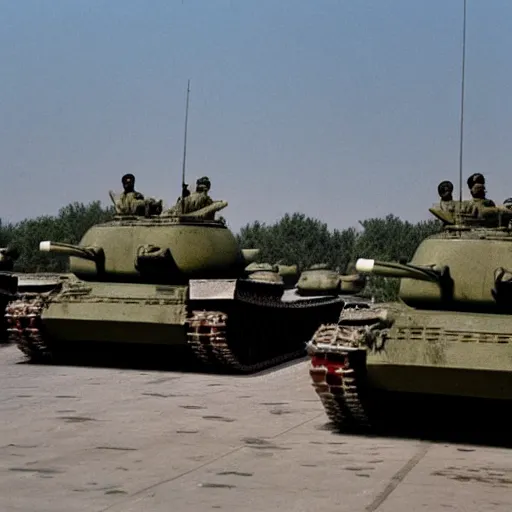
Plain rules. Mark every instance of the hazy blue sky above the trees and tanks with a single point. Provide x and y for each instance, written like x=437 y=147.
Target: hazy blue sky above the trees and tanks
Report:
x=342 y=110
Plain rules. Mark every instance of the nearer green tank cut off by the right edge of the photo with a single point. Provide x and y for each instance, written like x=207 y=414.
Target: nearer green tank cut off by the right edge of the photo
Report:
x=449 y=337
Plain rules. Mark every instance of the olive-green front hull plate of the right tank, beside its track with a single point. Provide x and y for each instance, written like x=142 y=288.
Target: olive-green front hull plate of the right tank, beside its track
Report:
x=459 y=354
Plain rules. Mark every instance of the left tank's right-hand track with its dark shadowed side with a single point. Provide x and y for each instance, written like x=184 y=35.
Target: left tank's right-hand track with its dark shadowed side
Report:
x=258 y=330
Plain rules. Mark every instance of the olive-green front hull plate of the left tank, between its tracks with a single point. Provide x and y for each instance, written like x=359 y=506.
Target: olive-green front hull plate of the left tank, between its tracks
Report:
x=117 y=313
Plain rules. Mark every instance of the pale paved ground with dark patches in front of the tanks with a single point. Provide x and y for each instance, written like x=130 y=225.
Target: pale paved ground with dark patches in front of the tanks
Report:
x=103 y=439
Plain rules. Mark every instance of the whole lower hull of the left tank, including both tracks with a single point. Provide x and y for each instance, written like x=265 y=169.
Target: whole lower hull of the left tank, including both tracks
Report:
x=219 y=321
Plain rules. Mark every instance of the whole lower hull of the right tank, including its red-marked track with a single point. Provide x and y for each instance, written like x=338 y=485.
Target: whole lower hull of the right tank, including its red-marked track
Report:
x=412 y=353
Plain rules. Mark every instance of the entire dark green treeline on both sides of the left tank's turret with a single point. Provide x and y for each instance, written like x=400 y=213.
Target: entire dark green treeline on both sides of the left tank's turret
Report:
x=293 y=239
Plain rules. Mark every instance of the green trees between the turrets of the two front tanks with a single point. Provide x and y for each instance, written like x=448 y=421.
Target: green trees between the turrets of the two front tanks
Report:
x=305 y=241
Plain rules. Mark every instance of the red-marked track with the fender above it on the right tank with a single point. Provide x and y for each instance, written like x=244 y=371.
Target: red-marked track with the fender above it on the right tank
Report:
x=338 y=366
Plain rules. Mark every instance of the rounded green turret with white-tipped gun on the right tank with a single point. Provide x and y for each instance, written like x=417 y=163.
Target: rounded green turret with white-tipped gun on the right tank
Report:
x=463 y=268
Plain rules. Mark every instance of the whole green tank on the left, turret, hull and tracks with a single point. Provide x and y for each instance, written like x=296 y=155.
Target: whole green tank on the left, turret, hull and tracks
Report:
x=168 y=280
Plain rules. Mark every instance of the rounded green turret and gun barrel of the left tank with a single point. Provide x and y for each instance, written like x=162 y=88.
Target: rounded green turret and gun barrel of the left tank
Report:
x=164 y=249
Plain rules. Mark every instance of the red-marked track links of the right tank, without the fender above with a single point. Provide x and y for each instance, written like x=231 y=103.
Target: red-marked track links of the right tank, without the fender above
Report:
x=338 y=374
